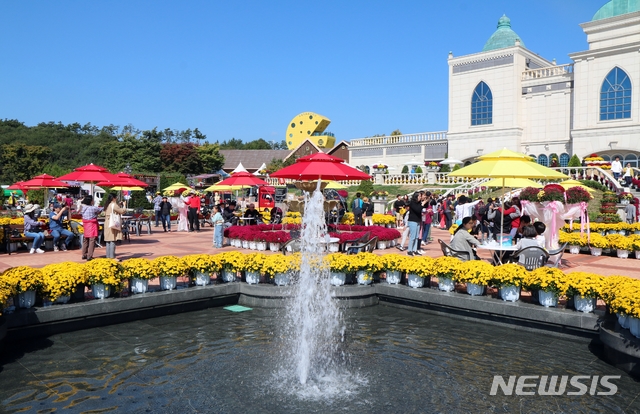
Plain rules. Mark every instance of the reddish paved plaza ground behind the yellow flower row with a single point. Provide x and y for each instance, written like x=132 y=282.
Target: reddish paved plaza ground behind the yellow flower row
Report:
x=160 y=243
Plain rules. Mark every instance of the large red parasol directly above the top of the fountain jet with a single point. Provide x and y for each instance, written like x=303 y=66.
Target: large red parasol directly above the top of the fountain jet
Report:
x=320 y=166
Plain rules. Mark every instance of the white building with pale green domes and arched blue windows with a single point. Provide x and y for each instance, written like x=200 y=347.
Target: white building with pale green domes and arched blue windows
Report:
x=508 y=96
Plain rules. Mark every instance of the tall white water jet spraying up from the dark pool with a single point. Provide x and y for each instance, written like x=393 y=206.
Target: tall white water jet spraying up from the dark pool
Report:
x=314 y=327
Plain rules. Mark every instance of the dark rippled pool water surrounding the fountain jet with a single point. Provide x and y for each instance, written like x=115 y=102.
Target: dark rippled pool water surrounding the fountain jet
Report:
x=216 y=361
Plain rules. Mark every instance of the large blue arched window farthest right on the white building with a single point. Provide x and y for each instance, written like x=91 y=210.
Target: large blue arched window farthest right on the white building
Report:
x=615 y=96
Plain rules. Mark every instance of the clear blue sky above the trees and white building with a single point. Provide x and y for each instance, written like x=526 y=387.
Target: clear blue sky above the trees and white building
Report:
x=244 y=69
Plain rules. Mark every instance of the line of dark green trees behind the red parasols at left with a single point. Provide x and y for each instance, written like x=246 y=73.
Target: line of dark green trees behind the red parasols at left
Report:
x=56 y=149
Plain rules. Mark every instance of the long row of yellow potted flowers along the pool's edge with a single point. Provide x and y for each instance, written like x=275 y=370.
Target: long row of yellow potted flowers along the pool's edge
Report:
x=622 y=294
